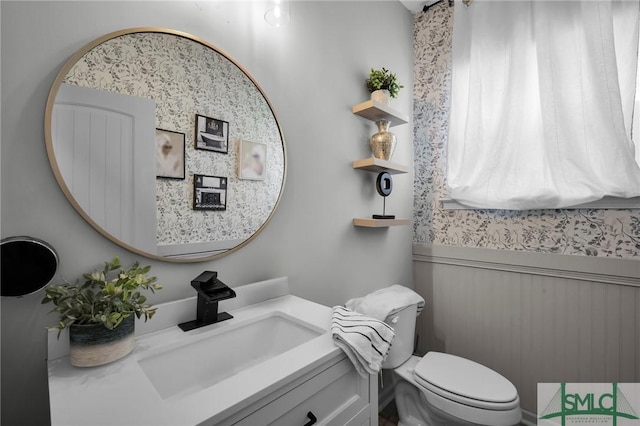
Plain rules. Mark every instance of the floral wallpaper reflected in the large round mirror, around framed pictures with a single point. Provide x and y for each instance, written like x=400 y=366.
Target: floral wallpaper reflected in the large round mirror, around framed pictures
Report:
x=159 y=66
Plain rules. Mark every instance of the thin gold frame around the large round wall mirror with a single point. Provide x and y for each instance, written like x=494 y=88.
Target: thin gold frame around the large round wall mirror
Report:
x=62 y=74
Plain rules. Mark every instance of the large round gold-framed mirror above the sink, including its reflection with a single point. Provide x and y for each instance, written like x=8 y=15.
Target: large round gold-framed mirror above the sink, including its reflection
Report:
x=165 y=144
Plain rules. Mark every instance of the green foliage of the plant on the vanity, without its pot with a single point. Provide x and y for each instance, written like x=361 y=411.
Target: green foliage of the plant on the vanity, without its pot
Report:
x=105 y=297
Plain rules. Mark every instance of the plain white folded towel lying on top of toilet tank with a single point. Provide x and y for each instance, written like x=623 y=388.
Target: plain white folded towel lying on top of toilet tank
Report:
x=387 y=301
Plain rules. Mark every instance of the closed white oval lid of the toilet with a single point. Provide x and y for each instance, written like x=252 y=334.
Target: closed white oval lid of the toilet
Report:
x=465 y=381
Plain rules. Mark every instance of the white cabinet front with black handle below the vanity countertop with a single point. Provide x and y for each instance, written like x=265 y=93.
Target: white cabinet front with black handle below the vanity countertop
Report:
x=332 y=394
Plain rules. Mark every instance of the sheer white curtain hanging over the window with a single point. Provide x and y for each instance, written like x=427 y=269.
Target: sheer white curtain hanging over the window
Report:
x=542 y=103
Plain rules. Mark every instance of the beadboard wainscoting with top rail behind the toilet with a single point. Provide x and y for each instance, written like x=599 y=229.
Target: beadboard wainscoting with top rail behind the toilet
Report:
x=532 y=317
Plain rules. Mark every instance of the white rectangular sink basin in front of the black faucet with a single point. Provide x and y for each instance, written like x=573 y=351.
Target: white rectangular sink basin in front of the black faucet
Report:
x=219 y=354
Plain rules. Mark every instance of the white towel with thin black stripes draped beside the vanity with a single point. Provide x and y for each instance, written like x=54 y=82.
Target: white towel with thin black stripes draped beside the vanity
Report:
x=365 y=340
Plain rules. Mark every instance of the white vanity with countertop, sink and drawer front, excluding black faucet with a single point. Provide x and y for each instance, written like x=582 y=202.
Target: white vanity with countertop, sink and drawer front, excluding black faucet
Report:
x=313 y=376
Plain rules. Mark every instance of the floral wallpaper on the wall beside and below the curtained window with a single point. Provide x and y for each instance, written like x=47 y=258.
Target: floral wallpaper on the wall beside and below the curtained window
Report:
x=590 y=232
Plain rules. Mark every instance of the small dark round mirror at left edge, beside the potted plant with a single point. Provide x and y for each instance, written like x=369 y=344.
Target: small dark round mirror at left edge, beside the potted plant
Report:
x=28 y=264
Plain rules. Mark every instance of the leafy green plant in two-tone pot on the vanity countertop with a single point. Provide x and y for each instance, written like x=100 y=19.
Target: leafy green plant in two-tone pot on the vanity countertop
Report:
x=100 y=312
